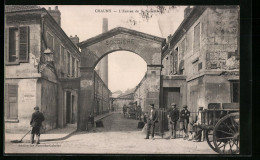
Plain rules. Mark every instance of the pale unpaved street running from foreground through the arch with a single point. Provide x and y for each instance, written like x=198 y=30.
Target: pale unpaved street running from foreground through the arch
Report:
x=118 y=136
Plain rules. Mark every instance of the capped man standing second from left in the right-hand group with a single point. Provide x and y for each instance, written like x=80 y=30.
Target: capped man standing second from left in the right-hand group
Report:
x=173 y=115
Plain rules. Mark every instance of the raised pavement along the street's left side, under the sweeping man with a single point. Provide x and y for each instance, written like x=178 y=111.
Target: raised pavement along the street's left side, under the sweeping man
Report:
x=54 y=134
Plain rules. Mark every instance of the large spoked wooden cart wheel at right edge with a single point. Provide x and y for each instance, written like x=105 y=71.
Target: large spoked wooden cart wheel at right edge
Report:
x=226 y=134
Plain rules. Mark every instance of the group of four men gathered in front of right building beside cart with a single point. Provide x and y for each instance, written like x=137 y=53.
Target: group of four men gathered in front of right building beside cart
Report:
x=190 y=129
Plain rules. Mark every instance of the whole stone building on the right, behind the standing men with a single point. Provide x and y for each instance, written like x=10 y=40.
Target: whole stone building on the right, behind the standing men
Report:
x=201 y=59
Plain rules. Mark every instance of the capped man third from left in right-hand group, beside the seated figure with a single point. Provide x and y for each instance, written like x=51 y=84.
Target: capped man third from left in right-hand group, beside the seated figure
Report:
x=184 y=121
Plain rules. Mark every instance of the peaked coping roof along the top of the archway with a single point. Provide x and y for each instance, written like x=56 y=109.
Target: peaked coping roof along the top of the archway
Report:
x=119 y=30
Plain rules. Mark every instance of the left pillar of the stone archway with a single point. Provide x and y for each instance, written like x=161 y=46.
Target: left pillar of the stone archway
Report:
x=86 y=97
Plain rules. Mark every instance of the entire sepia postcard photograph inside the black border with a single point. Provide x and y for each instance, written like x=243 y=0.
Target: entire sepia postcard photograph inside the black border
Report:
x=122 y=79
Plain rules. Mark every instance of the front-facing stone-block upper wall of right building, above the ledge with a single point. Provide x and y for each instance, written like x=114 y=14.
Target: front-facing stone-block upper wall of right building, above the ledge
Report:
x=222 y=39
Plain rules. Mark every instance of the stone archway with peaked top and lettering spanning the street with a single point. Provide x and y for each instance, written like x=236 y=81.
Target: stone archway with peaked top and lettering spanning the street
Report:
x=94 y=49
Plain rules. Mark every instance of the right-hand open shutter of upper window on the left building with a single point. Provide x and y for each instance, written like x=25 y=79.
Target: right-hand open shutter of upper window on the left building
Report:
x=24 y=44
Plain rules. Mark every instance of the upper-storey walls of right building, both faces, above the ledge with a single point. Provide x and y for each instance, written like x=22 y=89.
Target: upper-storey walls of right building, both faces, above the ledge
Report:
x=218 y=43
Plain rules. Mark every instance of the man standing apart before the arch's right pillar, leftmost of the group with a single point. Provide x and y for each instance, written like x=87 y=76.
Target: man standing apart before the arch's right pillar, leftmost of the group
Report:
x=152 y=119
